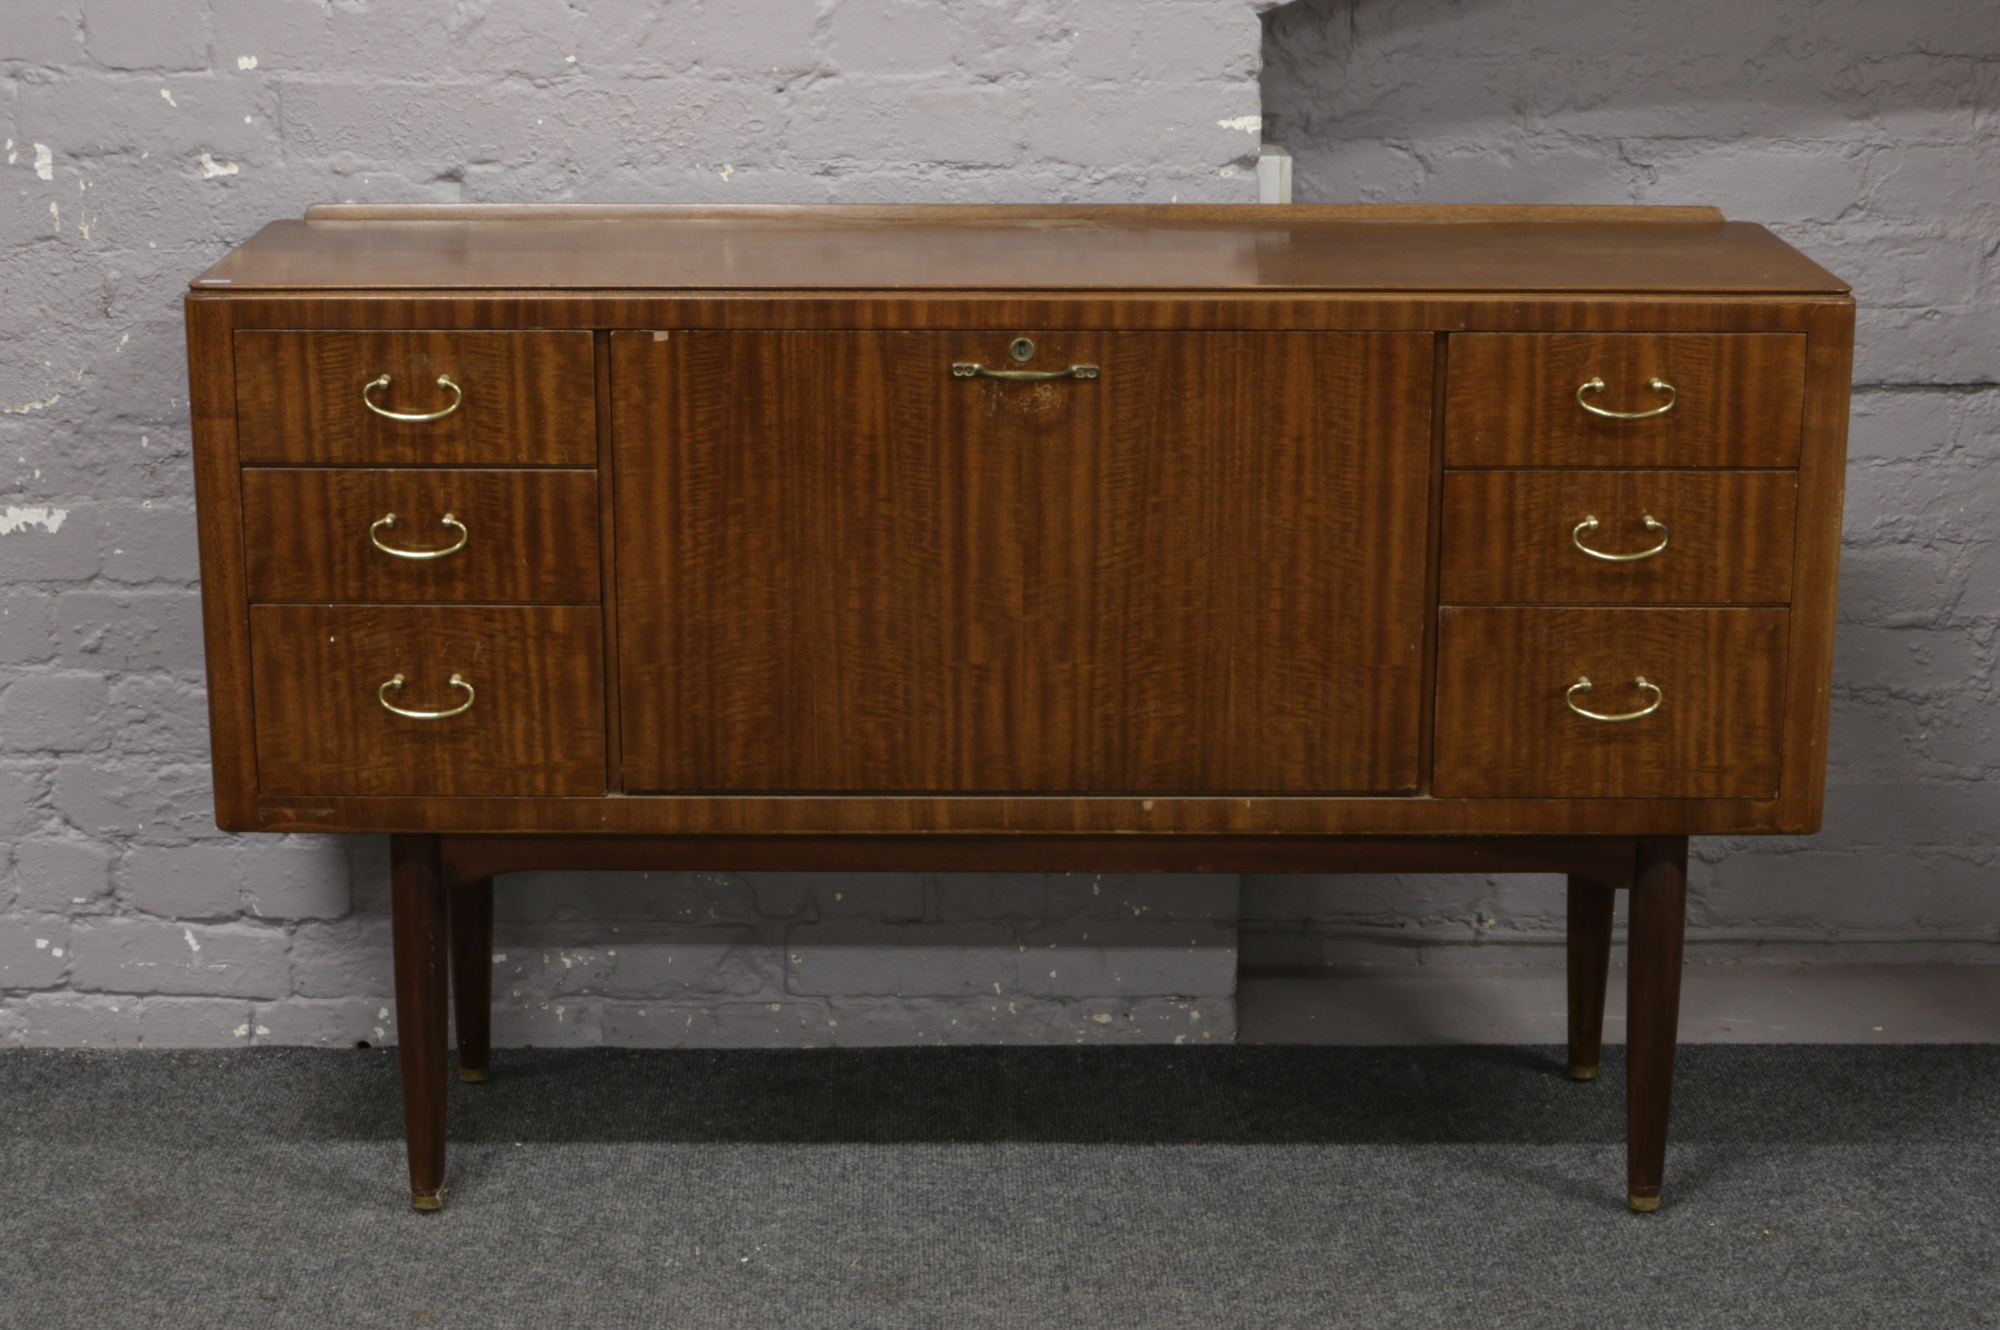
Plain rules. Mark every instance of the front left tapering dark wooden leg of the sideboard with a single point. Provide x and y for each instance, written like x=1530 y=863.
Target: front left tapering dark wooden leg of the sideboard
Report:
x=421 y=933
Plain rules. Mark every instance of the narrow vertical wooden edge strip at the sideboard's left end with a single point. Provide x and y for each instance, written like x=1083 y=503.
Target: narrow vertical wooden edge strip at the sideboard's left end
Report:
x=225 y=599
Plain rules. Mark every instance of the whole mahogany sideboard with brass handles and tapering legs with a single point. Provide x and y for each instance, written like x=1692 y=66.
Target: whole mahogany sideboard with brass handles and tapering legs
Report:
x=1013 y=537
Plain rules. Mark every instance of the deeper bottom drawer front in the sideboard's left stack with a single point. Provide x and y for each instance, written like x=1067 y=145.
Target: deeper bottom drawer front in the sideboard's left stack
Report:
x=535 y=683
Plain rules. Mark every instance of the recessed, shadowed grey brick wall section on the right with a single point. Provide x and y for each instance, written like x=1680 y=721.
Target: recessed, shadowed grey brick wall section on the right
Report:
x=1867 y=135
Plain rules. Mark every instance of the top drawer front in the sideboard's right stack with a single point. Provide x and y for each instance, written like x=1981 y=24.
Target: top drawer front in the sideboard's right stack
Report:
x=1521 y=399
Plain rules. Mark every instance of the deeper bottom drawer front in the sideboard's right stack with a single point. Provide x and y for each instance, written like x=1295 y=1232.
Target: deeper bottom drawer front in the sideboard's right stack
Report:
x=1509 y=725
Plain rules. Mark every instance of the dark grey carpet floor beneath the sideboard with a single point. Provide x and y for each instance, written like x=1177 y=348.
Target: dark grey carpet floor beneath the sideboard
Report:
x=1159 y=1189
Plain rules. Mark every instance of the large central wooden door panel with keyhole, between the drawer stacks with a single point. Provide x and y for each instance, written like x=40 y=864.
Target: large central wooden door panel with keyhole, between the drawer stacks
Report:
x=845 y=567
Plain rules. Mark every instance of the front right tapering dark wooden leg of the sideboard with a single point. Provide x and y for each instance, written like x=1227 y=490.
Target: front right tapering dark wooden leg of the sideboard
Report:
x=1659 y=927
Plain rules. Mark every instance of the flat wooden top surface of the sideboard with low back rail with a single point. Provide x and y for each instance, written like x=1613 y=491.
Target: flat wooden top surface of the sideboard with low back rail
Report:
x=1141 y=247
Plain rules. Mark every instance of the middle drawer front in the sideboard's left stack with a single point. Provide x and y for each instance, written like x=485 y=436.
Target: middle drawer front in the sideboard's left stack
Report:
x=513 y=535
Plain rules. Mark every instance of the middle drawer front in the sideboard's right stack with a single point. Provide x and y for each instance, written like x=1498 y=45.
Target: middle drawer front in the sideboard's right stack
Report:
x=1519 y=537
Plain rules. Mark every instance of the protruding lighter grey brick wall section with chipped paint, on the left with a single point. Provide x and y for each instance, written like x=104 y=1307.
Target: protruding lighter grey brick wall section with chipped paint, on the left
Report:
x=145 y=137
